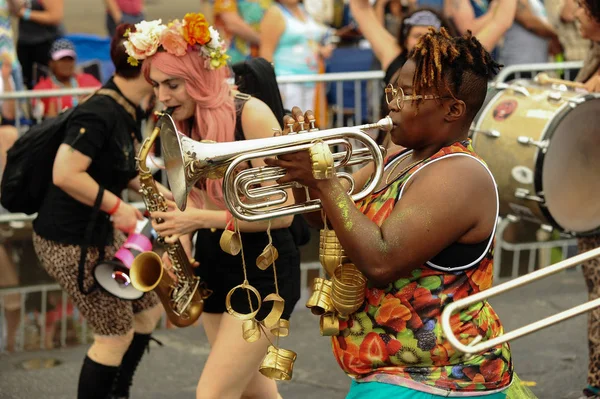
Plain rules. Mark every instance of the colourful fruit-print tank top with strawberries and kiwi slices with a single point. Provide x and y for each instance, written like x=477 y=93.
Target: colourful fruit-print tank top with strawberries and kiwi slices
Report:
x=396 y=337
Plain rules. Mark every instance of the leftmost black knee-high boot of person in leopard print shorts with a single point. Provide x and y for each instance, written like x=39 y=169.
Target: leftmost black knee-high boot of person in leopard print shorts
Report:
x=95 y=380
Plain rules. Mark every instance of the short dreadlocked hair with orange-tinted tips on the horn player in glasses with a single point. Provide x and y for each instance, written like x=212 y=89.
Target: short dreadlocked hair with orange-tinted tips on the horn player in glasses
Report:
x=458 y=65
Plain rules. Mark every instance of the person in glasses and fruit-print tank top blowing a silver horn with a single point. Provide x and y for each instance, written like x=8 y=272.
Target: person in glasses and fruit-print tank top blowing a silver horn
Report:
x=423 y=238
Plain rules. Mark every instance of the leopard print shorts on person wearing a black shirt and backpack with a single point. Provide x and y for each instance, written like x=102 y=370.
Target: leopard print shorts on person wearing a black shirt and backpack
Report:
x=104 y=313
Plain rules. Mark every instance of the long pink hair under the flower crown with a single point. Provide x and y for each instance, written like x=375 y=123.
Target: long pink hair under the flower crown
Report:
x=215 y=115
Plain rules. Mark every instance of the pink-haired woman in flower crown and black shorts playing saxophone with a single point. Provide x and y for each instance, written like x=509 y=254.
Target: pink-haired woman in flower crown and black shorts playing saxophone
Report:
x=184 y=62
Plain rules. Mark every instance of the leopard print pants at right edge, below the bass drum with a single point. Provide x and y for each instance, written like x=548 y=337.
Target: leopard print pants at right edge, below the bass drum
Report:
x=591 y=272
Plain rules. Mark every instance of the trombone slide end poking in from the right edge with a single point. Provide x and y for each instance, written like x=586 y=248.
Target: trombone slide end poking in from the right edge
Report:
x=476 y=346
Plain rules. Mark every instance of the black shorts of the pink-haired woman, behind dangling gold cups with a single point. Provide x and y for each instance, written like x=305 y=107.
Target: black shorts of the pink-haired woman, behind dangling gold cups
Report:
x=221 y=271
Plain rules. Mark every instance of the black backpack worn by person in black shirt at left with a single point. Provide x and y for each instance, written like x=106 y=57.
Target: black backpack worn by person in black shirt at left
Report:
x=29 y=164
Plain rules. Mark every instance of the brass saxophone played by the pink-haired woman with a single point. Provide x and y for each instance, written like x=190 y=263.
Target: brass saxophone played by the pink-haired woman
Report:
x=182 y=298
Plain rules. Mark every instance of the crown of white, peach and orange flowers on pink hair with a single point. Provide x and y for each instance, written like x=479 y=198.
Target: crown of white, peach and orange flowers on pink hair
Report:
x=177 y=38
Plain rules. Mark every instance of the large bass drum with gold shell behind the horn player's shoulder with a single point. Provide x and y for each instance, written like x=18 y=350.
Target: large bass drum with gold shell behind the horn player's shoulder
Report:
x=542 y=145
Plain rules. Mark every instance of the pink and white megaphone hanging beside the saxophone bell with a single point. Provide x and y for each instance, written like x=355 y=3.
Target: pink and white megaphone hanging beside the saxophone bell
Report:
x=113 y=275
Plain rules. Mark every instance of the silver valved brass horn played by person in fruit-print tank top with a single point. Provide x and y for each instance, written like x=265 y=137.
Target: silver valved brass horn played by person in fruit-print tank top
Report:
x=188 y=161
